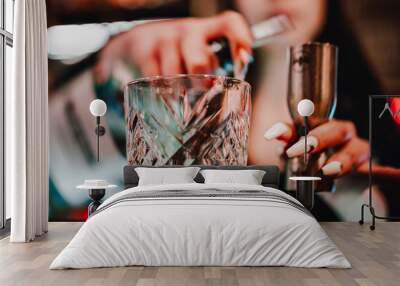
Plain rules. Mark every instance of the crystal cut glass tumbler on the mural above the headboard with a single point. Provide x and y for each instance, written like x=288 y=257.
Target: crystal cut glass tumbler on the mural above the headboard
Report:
x=186 y=120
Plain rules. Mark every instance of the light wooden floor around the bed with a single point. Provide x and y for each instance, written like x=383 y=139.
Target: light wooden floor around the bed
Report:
x=375 y=257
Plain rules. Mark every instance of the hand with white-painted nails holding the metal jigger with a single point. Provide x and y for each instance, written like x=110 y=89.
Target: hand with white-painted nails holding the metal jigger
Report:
x=351 y=152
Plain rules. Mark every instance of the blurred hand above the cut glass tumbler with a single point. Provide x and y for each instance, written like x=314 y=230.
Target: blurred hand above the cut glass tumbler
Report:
x=169 y=47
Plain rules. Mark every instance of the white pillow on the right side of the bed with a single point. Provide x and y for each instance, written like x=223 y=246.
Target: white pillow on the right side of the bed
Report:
x=248 y=177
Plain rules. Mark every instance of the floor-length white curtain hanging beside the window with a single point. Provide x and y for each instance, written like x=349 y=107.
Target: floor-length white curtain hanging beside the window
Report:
x=26 y=124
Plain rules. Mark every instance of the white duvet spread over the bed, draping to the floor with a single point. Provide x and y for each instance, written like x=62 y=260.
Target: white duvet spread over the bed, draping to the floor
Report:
x=190 y=231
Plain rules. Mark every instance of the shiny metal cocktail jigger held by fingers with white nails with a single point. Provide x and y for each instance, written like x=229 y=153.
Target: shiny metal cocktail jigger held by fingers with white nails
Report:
x=313 y=76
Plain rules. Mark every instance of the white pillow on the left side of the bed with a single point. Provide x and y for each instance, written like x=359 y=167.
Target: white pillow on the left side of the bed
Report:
x=163 y=176
